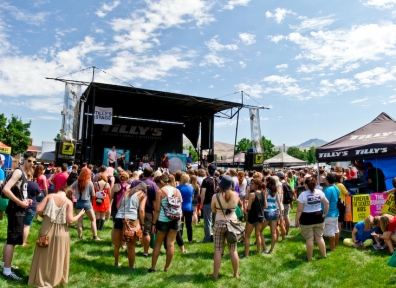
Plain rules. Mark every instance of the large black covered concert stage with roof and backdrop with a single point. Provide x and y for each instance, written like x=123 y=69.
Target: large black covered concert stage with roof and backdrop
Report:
x=174 y=114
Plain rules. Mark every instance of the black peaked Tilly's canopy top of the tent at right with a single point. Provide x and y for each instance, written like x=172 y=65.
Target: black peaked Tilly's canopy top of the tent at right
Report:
x=377 y=139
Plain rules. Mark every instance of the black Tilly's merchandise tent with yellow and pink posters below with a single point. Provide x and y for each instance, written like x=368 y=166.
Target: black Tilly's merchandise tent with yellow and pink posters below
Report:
x=375 y=143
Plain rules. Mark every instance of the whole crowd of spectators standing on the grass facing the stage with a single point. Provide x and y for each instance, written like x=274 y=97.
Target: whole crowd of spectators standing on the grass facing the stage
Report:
x=61 y=196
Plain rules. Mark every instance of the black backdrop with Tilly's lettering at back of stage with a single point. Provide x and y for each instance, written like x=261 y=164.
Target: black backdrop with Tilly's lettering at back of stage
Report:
x=139 y=137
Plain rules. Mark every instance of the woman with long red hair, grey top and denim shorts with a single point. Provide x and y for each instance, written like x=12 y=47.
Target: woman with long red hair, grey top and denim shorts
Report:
x=84 y=193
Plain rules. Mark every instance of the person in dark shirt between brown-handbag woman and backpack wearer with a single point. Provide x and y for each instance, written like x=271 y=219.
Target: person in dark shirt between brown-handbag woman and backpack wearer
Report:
x=149 y=209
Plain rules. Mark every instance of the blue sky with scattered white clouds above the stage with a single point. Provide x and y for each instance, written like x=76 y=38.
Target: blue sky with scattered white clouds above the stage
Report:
x=324 y=68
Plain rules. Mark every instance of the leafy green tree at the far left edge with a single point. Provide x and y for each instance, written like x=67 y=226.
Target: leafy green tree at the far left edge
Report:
x=15 y=134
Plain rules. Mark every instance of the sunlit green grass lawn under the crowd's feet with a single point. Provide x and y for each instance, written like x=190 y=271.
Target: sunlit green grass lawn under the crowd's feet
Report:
x=91 y=265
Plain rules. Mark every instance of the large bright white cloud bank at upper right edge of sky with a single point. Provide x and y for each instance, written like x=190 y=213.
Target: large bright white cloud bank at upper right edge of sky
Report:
x=338 y=48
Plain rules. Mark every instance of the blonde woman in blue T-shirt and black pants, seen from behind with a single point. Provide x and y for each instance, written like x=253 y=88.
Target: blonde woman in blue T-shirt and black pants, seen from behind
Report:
x=187 y=192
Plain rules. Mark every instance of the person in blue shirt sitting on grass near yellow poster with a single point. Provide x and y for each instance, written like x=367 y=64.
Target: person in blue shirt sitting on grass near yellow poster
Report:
x=361 y=234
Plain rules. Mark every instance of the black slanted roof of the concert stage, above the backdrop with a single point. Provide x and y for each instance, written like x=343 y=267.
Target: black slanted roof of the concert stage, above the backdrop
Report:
x=149 y=104
